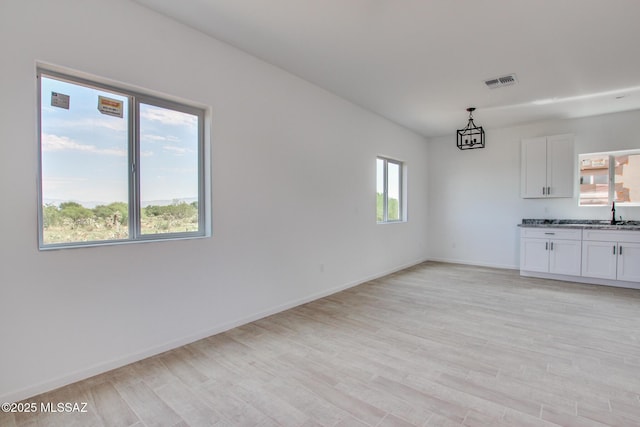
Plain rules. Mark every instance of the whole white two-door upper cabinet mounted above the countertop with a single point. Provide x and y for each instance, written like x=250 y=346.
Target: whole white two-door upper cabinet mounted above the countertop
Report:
x=547 y=167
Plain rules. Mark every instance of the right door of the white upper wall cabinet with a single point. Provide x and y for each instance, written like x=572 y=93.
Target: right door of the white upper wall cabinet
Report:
x=560 y=166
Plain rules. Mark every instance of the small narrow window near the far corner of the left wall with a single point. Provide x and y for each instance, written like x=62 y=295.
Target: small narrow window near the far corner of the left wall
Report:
x=389 y=190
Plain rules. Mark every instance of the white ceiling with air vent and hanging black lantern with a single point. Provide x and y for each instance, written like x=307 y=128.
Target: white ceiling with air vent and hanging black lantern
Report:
x=421 y=63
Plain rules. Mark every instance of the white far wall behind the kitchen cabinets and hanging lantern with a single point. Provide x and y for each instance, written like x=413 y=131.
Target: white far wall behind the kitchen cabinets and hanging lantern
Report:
x=474 y=195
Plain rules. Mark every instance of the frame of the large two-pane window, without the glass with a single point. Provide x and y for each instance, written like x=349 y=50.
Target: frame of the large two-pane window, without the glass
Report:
x=135 y=98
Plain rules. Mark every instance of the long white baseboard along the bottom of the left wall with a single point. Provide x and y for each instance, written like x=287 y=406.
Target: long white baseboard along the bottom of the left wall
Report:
x=106 y=366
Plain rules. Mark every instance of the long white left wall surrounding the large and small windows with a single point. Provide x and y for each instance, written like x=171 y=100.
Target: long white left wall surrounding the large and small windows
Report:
x=293 y=188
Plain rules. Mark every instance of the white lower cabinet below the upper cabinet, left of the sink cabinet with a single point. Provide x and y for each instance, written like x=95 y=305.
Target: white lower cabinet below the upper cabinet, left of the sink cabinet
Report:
x=555 y=251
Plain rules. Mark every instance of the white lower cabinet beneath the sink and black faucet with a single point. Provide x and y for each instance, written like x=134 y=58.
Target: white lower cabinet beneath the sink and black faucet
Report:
x=611 y=254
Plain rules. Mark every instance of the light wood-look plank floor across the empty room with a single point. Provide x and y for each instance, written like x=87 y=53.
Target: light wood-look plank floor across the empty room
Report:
x=434 y=345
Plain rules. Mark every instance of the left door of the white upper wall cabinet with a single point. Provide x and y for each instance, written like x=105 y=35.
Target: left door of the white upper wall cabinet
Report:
x=534 y=168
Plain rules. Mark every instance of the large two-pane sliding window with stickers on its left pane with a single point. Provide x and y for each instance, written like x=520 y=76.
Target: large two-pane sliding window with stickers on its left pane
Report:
x=117 y=165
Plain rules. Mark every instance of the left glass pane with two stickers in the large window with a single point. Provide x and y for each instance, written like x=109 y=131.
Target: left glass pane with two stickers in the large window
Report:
x=84 y=164
